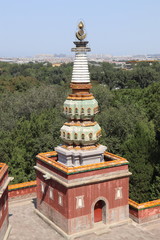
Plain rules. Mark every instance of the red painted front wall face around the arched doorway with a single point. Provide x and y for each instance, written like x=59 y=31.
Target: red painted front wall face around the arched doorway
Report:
x=94 y=191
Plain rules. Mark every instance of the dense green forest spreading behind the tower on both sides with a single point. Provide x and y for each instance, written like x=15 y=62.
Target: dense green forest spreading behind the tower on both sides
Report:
x=31 y=100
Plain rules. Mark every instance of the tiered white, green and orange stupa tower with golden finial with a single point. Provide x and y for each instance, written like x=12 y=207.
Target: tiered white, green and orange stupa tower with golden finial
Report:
x=81 y=132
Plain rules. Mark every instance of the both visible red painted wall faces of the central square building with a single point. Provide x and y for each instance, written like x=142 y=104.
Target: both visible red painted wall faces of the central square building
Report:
x=90 y=192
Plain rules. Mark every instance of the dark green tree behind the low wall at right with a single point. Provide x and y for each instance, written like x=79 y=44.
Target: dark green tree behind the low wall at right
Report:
x=138 y=150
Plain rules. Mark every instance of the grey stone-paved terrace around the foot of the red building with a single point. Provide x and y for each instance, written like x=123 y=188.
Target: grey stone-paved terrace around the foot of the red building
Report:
x=26 y=225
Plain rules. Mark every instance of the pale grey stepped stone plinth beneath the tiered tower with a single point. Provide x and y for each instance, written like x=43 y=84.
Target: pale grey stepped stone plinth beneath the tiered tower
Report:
x=72 y=158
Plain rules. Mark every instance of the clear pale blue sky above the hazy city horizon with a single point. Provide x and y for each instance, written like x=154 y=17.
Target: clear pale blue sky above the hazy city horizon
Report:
x=116 y=27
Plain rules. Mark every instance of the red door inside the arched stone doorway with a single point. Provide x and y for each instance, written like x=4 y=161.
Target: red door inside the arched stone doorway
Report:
x=99 y=211
